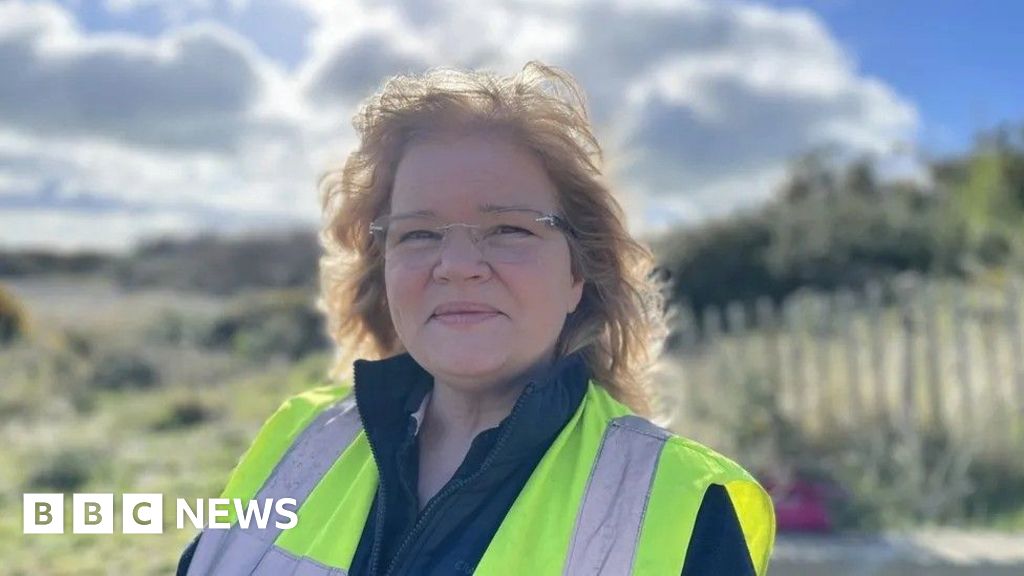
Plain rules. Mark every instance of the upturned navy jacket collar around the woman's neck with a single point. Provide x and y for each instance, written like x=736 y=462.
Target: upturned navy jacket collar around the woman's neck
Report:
x=390 y=392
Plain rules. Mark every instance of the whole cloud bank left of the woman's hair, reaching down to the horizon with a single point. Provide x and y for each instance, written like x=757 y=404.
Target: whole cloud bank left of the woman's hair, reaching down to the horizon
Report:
x=125 y=137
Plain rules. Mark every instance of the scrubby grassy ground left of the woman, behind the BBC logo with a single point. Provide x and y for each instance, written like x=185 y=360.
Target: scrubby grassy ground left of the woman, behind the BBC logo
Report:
x=79 y=414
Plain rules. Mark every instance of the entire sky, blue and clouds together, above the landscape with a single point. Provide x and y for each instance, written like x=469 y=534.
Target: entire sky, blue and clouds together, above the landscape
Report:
x=121 y=120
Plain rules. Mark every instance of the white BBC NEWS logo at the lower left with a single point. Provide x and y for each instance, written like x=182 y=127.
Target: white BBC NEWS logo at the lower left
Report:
x=144 y=514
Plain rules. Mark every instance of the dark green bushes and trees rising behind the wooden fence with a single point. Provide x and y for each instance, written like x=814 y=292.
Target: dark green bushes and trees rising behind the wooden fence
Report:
x=837 y=226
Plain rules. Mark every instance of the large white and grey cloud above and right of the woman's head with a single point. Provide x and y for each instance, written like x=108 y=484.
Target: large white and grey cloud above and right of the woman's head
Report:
x=711 y=100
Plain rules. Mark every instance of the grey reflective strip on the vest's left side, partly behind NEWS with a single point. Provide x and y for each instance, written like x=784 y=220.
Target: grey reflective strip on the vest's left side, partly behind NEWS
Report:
x=245 y=552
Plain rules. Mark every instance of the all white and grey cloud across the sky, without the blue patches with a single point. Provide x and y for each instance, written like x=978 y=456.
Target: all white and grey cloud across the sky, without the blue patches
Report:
x=702 y=103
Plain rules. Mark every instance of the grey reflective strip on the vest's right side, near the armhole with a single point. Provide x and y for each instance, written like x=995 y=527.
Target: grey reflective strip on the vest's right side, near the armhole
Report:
x=608 y=529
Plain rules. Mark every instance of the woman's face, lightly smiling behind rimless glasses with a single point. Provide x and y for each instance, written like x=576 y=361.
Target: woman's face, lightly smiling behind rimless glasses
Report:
x=470 y=321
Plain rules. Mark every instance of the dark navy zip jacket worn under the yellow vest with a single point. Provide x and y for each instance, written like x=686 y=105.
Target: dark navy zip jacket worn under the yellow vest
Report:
x=451 y=534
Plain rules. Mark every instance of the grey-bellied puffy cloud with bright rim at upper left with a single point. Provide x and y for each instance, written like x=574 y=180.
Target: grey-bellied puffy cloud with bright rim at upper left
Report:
x=194 y=89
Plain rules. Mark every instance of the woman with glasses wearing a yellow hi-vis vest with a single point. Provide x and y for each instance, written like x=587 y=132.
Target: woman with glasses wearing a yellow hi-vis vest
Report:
x=473 y=244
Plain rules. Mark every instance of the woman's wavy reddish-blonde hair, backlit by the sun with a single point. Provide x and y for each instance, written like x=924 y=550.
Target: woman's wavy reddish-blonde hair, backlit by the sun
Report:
x=618 y=326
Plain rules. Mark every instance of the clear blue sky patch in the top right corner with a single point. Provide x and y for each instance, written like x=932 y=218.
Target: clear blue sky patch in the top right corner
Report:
x=959 y=62
